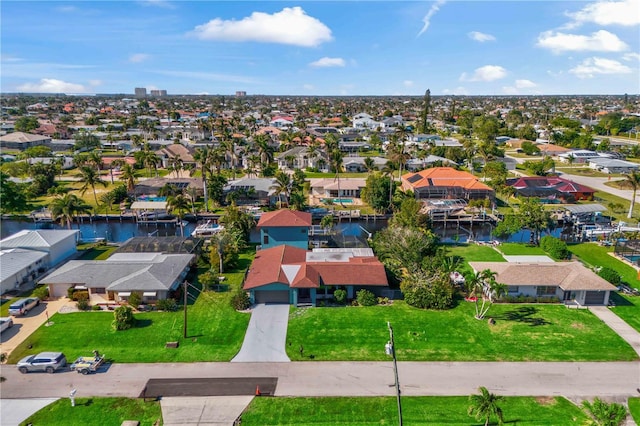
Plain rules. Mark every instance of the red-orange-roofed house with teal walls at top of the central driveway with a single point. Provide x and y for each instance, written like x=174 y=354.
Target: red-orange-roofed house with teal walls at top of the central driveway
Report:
x=292 y=275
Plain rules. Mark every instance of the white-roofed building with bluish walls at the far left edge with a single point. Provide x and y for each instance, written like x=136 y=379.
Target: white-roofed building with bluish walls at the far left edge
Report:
x=28 y=254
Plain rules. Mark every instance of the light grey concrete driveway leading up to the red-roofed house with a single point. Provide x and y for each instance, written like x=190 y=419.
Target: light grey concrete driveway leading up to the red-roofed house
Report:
x=266 y=335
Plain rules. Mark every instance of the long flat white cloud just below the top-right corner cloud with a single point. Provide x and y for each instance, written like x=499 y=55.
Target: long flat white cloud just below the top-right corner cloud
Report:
x=600 y=41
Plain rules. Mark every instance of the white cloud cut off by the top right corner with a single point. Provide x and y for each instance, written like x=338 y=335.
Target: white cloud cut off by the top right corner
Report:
x=607 y=13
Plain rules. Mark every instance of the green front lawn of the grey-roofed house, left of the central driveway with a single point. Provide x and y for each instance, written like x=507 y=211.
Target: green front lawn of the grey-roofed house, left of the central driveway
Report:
x=215 y=331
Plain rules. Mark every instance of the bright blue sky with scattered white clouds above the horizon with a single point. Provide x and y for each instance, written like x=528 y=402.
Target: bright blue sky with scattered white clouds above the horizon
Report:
x=321 y=47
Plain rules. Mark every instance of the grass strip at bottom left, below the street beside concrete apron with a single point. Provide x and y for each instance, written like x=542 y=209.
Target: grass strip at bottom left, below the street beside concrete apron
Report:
x=92 y=411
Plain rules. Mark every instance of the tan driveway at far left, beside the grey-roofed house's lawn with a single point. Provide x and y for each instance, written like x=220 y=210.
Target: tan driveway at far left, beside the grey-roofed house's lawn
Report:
x=24 y=326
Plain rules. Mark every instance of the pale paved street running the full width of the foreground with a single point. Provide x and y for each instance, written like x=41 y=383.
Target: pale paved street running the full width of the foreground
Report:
x=571 y=379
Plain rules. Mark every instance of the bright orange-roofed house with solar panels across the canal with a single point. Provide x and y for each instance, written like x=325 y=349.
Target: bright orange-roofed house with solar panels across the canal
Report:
x=445 y=183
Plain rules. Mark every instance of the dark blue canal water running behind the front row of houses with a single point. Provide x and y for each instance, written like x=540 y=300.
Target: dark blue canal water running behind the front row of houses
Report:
x=118 y=231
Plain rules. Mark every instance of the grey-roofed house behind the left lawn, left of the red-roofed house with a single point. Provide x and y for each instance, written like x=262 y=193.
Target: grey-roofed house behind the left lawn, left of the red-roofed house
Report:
x=153 y=275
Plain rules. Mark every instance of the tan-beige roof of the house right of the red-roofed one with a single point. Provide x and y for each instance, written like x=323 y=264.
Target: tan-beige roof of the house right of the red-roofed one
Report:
x=566 y=275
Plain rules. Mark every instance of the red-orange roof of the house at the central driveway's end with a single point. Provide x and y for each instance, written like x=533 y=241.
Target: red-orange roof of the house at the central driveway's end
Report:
x=289 y=265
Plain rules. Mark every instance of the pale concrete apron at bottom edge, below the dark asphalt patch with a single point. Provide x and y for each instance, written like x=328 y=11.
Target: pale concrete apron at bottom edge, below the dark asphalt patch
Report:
x=203 y=411
